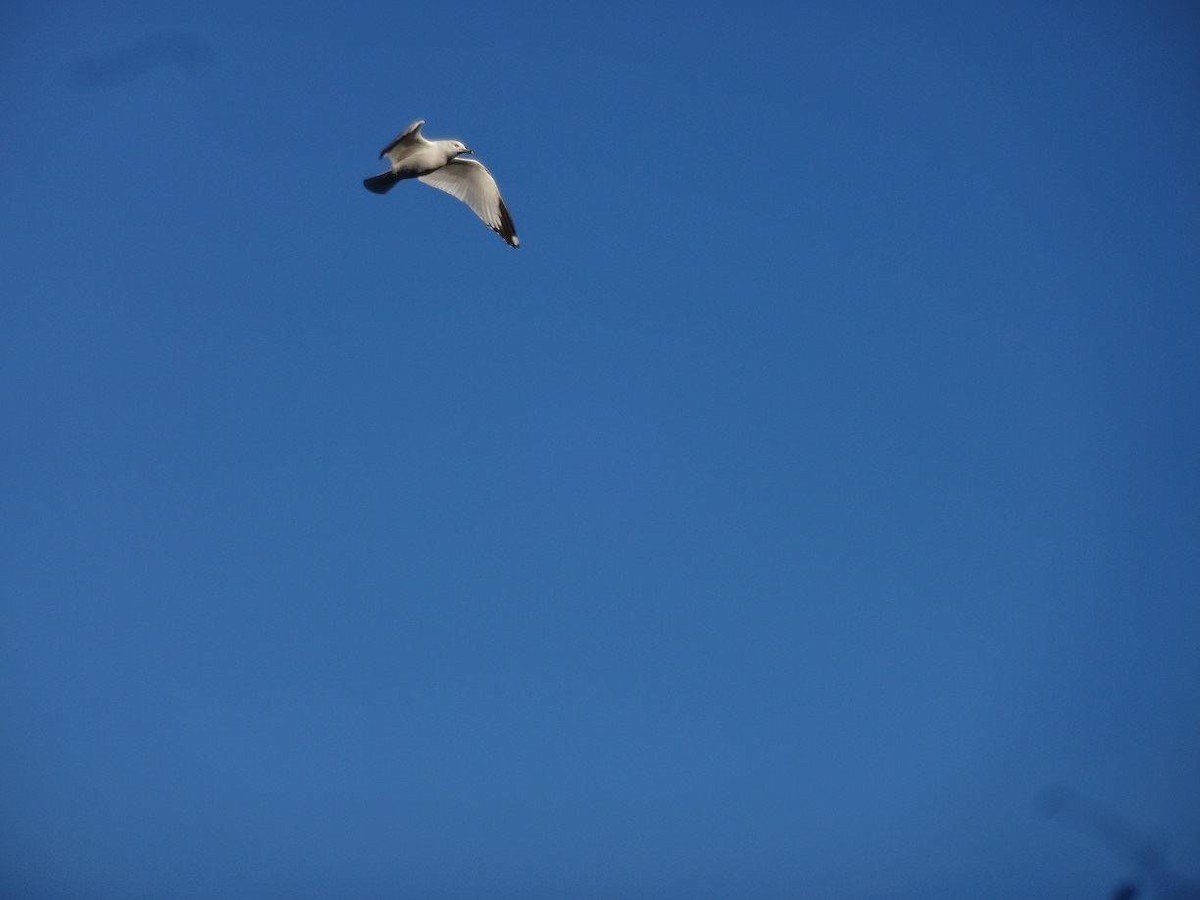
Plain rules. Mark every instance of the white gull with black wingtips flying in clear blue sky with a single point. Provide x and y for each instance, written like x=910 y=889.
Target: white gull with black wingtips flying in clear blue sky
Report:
x=437 y=164
